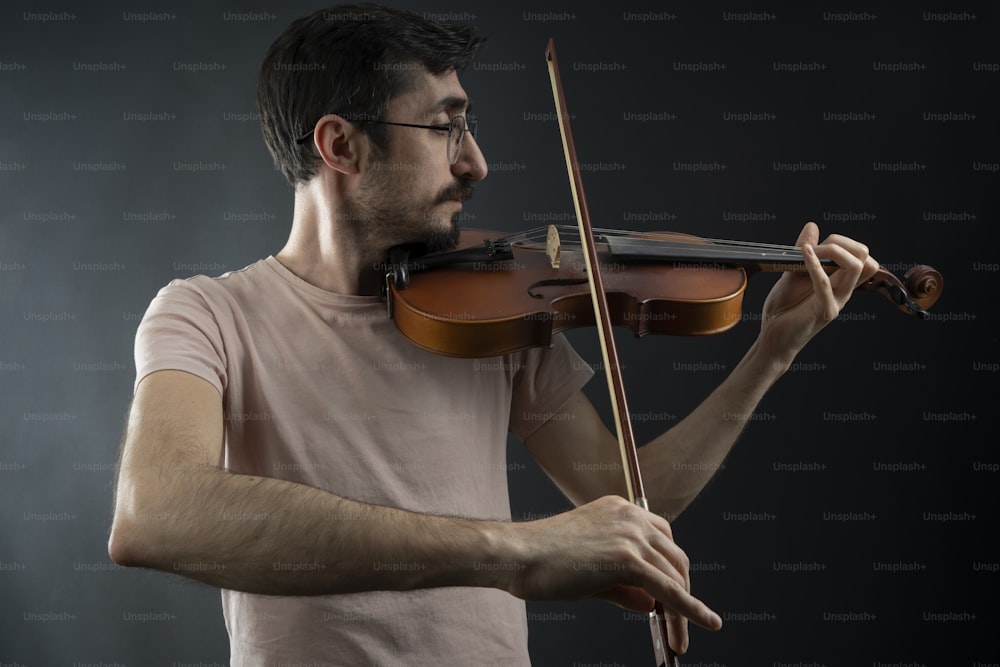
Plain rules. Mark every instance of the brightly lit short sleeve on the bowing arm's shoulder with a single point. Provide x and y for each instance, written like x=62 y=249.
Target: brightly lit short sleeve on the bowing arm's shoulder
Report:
x=180 y=332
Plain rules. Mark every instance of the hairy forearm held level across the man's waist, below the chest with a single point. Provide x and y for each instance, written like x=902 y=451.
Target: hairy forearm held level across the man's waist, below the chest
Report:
x=271 y=536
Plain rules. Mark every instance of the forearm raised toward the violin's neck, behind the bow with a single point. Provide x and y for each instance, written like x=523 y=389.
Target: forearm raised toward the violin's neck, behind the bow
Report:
x=678 y=464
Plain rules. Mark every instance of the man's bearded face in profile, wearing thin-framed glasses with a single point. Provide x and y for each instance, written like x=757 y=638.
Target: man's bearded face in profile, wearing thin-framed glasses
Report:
x=411 y=193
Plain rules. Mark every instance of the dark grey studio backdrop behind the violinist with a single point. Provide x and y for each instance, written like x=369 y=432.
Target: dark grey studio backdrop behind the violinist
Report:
x=851 y=526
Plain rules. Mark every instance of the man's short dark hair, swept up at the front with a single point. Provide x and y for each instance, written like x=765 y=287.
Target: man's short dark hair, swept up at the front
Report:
x=350 y=60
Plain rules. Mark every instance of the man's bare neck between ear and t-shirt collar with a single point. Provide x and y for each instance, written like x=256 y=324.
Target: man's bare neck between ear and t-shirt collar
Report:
x=325 y=249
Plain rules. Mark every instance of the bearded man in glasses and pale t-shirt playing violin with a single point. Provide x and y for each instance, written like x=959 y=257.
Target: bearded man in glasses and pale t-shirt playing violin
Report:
x=346 y=490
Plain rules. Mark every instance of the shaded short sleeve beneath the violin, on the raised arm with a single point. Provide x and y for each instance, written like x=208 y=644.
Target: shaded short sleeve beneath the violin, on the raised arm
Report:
x=545 y=380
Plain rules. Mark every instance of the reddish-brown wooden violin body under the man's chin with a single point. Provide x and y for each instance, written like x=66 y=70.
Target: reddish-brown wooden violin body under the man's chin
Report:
x=482 y=309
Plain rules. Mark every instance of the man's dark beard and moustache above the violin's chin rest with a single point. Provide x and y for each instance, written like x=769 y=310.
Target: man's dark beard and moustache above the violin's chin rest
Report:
x=383 y=215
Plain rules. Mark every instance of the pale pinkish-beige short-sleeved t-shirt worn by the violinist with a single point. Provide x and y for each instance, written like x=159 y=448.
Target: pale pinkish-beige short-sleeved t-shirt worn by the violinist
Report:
x=321 y=389
